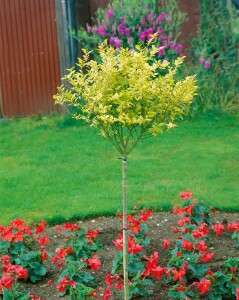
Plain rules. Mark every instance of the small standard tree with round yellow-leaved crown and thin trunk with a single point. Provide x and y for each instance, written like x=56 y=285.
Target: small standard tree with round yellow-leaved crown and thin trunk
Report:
x=127 y=98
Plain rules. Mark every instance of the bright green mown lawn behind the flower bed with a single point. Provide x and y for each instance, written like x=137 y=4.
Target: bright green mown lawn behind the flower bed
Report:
x=56 y=170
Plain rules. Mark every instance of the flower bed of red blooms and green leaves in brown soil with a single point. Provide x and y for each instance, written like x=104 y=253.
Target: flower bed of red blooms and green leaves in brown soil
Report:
x=181 y=254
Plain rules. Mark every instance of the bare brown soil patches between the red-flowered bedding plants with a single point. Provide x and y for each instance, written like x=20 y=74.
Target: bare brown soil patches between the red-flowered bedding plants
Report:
x=159 y=229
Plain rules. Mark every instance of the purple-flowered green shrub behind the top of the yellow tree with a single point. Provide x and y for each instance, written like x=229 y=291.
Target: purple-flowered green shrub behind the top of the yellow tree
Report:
x=129 y=22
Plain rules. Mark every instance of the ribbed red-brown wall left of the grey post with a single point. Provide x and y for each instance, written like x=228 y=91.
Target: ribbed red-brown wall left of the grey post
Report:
x=29 y=63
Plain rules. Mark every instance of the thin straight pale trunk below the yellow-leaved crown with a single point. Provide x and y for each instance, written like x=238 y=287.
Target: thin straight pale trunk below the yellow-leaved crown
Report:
x=125 y=235
